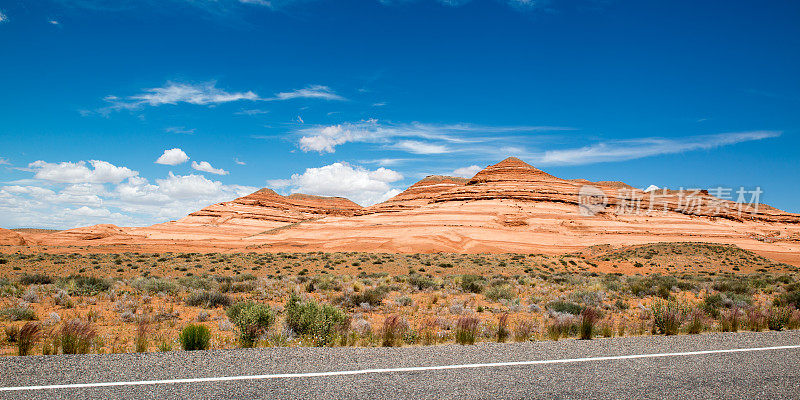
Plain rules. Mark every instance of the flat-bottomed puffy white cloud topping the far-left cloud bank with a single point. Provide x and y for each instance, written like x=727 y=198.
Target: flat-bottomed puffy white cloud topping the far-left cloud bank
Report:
x=78 y=172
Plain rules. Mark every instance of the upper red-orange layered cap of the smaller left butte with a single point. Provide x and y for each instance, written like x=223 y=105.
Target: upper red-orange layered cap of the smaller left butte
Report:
x=267 y=206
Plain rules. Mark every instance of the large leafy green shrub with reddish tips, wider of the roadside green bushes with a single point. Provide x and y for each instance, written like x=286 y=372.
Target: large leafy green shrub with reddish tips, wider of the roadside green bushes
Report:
x=321 y=322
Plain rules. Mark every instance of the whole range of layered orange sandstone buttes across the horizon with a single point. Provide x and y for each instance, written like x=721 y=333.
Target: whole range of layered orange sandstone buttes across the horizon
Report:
x=507 y=207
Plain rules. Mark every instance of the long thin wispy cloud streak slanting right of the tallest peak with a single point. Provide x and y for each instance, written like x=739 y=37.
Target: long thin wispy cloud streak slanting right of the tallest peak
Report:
x=645 y=147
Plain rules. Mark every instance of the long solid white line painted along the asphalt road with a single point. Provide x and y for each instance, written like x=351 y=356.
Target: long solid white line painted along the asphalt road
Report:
x=389 y=370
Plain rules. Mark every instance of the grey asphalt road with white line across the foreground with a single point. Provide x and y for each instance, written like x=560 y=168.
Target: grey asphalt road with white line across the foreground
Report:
x=677 y=367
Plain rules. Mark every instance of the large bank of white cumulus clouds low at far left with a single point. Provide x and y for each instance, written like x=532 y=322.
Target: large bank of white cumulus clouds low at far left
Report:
x=70 y=194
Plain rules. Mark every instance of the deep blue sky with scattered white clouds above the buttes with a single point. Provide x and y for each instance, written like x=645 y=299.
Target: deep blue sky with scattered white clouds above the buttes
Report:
x=363 y=98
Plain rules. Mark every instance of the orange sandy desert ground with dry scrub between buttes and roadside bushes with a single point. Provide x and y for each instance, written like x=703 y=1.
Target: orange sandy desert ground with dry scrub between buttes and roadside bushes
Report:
x=272 y=277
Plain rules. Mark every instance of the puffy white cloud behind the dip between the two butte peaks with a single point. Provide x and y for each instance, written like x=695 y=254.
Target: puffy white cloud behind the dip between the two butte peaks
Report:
x=356 y=183
